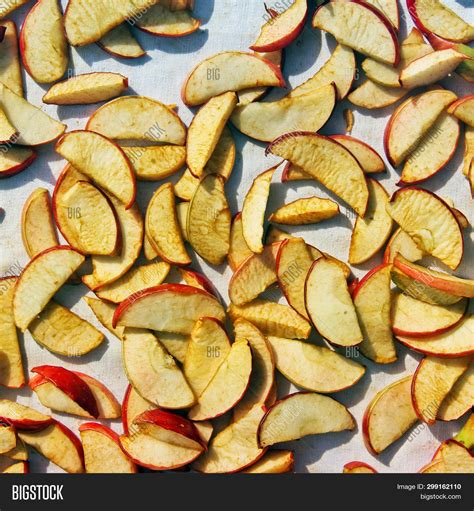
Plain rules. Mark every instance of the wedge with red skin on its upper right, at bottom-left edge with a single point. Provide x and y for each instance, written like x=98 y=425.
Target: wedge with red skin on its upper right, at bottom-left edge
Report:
x=58 y=444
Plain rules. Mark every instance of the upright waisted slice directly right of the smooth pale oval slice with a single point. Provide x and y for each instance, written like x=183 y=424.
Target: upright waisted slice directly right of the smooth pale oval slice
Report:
x=372 y=301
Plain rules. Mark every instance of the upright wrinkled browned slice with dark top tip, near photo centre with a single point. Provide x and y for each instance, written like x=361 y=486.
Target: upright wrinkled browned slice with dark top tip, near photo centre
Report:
x=208 y=222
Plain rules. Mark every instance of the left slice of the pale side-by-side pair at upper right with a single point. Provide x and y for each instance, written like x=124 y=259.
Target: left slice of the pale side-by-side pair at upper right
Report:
x=411 y=121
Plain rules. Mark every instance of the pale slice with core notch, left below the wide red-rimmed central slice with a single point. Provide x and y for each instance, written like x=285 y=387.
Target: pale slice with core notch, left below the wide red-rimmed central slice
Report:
x=153 y=372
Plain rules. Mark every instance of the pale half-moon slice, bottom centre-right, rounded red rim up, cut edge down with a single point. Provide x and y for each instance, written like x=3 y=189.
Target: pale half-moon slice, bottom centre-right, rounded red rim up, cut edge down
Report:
x=302 y=414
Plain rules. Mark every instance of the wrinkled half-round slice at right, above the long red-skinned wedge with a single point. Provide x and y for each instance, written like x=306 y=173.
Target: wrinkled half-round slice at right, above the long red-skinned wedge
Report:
x=430 y=222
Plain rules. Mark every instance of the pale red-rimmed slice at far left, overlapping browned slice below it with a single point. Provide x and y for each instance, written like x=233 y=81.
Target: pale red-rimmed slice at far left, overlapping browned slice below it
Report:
x=40 y=280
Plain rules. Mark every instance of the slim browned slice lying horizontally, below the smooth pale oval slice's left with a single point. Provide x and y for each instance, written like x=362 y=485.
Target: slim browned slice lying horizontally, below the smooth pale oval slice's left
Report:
x=272 y=319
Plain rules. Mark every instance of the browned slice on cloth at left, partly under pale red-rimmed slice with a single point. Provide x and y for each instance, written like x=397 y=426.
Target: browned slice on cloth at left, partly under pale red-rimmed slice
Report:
x=62 y=332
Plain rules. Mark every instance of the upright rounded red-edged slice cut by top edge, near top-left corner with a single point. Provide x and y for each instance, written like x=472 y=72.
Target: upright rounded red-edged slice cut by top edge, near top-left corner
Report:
x=43 y=43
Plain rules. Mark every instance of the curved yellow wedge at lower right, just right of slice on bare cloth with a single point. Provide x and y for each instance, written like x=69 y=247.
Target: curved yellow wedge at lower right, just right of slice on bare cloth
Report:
x=433 y=380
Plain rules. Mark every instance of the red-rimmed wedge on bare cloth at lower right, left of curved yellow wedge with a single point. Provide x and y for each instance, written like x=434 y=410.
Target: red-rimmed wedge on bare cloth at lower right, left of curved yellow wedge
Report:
x=389 y=416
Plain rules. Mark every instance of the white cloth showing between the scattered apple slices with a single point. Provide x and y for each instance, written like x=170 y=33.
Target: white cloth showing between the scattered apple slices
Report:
x=234 y=25
